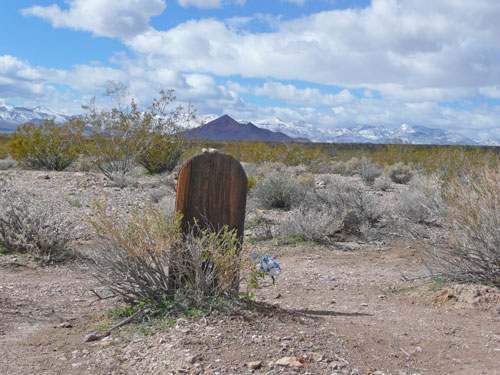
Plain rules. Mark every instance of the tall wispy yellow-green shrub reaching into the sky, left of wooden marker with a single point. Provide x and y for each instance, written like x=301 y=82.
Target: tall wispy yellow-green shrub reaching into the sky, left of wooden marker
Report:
x=120 y=138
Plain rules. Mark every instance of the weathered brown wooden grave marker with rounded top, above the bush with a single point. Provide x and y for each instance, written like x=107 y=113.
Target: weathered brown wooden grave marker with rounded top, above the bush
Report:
x=212 y=191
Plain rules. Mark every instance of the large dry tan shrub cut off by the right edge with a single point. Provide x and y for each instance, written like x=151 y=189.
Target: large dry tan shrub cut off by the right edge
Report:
x=473 y=254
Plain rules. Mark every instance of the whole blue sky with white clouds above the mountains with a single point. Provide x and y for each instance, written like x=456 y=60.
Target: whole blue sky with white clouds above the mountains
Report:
x=330 y=63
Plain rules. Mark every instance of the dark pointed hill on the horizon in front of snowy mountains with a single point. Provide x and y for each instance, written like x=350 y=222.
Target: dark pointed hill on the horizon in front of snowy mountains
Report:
x=226 y=128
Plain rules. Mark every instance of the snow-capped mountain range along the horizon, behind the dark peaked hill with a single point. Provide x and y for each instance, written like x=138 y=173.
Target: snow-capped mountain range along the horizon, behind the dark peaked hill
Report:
x=11 y=117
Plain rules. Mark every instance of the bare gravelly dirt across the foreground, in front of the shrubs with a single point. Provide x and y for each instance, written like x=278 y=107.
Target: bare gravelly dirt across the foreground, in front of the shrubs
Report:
x=342 y=312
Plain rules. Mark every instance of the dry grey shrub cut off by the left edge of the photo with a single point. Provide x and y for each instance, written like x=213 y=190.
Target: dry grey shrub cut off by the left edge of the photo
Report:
x=28 y=226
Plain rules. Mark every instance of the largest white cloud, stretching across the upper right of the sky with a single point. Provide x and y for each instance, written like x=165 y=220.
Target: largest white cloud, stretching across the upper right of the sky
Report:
x=426 y=49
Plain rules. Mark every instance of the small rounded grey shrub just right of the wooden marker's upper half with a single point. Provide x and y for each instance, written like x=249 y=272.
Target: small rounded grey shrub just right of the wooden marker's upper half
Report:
x=278 y=190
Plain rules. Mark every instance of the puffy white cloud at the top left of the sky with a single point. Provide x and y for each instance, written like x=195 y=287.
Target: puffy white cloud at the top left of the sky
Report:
x=124 y=18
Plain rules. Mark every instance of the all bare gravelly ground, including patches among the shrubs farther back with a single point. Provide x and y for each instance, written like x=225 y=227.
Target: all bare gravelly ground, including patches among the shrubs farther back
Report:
x=357 y=305
